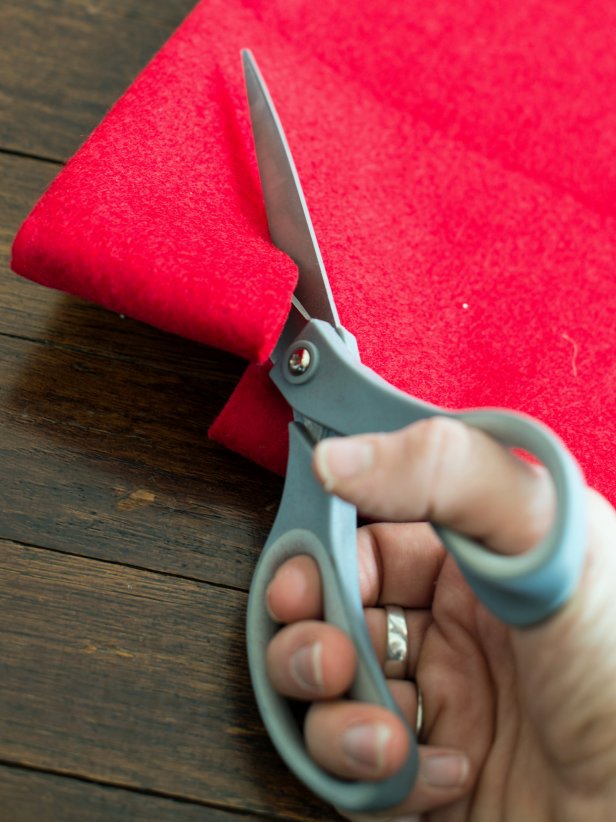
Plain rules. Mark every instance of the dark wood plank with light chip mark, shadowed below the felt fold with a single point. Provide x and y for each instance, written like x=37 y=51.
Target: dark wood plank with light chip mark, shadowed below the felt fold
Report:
x=111 y=460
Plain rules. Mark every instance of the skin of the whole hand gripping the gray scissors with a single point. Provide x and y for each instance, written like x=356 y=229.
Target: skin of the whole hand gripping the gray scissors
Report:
x=518 y=724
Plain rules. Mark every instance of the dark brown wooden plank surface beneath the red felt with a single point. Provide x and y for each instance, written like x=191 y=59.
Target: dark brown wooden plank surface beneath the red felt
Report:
x=127 y=539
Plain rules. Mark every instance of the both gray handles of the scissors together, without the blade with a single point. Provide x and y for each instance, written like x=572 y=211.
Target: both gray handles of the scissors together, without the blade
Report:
x=345 y=397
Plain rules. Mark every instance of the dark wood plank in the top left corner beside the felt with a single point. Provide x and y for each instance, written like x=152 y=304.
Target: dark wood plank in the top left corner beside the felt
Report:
x=63 y=64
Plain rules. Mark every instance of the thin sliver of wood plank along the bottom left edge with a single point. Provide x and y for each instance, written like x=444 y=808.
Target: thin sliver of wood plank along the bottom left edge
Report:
x=28 y=795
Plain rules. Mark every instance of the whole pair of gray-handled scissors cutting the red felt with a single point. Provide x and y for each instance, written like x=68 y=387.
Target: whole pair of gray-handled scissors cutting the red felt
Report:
x=316 y=367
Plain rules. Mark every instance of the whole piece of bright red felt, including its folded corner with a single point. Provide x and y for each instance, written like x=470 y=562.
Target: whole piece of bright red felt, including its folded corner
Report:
x=457 y=159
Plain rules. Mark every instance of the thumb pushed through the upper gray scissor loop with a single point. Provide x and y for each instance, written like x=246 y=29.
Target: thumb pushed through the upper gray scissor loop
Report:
x=443 y=471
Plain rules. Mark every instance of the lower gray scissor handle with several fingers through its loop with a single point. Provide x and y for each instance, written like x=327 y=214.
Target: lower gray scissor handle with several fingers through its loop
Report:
x=315 y=523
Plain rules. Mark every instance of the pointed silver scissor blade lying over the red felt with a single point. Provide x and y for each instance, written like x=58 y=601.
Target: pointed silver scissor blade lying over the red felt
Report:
x=288 y=219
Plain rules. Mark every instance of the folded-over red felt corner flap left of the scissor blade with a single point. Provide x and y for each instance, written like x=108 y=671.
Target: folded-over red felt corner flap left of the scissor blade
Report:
x=159 y=215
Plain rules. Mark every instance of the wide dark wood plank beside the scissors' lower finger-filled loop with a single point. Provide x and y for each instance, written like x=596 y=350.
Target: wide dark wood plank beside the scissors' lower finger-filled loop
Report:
x=134 y=679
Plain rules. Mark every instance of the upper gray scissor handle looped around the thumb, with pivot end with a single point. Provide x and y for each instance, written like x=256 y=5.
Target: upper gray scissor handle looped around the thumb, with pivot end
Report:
x=344 y=396
